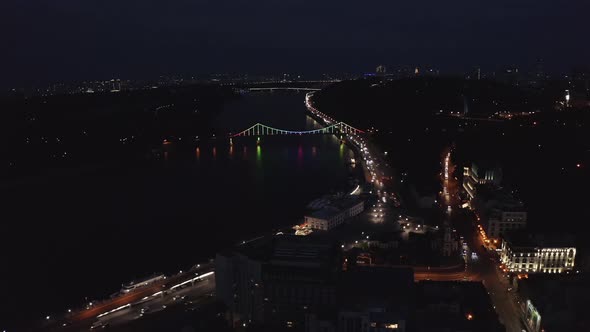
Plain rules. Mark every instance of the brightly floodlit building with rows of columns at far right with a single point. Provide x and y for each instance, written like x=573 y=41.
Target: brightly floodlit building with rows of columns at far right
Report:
x=525 y=253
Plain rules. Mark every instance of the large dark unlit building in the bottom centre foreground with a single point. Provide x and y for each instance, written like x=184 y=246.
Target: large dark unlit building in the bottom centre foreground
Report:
x=275 y=281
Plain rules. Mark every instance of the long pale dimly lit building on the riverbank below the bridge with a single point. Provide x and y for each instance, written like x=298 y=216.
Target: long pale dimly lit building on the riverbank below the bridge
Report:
x=334 y=212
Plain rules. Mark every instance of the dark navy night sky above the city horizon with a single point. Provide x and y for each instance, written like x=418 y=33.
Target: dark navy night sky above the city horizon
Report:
x=100 y=39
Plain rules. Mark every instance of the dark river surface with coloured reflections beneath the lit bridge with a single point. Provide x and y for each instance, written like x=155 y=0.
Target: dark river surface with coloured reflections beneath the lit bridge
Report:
x=80 y=234
